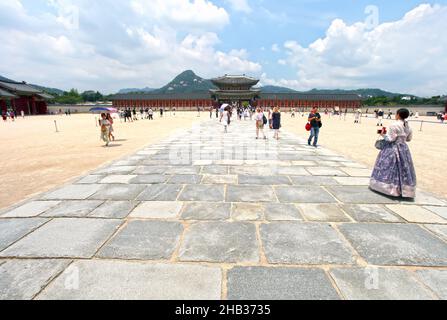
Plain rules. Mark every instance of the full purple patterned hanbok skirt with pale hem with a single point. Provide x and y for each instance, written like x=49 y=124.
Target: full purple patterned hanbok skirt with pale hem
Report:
x=394 y=173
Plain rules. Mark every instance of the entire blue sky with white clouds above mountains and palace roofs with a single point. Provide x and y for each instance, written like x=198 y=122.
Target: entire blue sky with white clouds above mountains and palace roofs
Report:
x=302 y=44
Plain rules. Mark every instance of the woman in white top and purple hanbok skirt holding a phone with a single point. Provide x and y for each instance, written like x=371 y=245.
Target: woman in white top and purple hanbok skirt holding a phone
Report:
x=394 y=173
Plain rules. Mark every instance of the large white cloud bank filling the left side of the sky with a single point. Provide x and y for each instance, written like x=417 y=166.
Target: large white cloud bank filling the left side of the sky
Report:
x=137 y=44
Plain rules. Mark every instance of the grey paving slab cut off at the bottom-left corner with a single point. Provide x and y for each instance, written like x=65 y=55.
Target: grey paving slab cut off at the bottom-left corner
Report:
x=23 y=279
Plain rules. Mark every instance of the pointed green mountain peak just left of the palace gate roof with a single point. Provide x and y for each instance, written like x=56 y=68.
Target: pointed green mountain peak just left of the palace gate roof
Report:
x=187 y=82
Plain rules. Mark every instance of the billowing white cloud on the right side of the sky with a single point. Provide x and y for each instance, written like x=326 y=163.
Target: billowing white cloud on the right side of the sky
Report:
x=408 y=55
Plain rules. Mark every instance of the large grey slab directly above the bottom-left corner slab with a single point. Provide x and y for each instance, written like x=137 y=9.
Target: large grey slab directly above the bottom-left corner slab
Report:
x=64 y=238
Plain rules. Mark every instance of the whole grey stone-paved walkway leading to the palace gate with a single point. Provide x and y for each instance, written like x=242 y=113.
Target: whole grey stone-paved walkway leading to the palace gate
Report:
x=204 y=215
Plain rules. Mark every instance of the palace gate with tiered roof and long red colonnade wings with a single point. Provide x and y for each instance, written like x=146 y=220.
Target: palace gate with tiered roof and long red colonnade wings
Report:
x=236 y=89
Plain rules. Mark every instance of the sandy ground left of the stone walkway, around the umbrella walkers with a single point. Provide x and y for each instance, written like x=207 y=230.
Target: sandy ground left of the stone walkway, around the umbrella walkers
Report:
x=35 y=159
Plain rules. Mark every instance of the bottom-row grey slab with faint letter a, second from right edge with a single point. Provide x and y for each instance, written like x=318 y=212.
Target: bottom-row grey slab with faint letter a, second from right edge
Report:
x=379 y=284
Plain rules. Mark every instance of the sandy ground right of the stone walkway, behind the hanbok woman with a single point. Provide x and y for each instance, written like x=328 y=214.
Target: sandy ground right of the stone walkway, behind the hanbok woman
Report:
x=356 y=141
